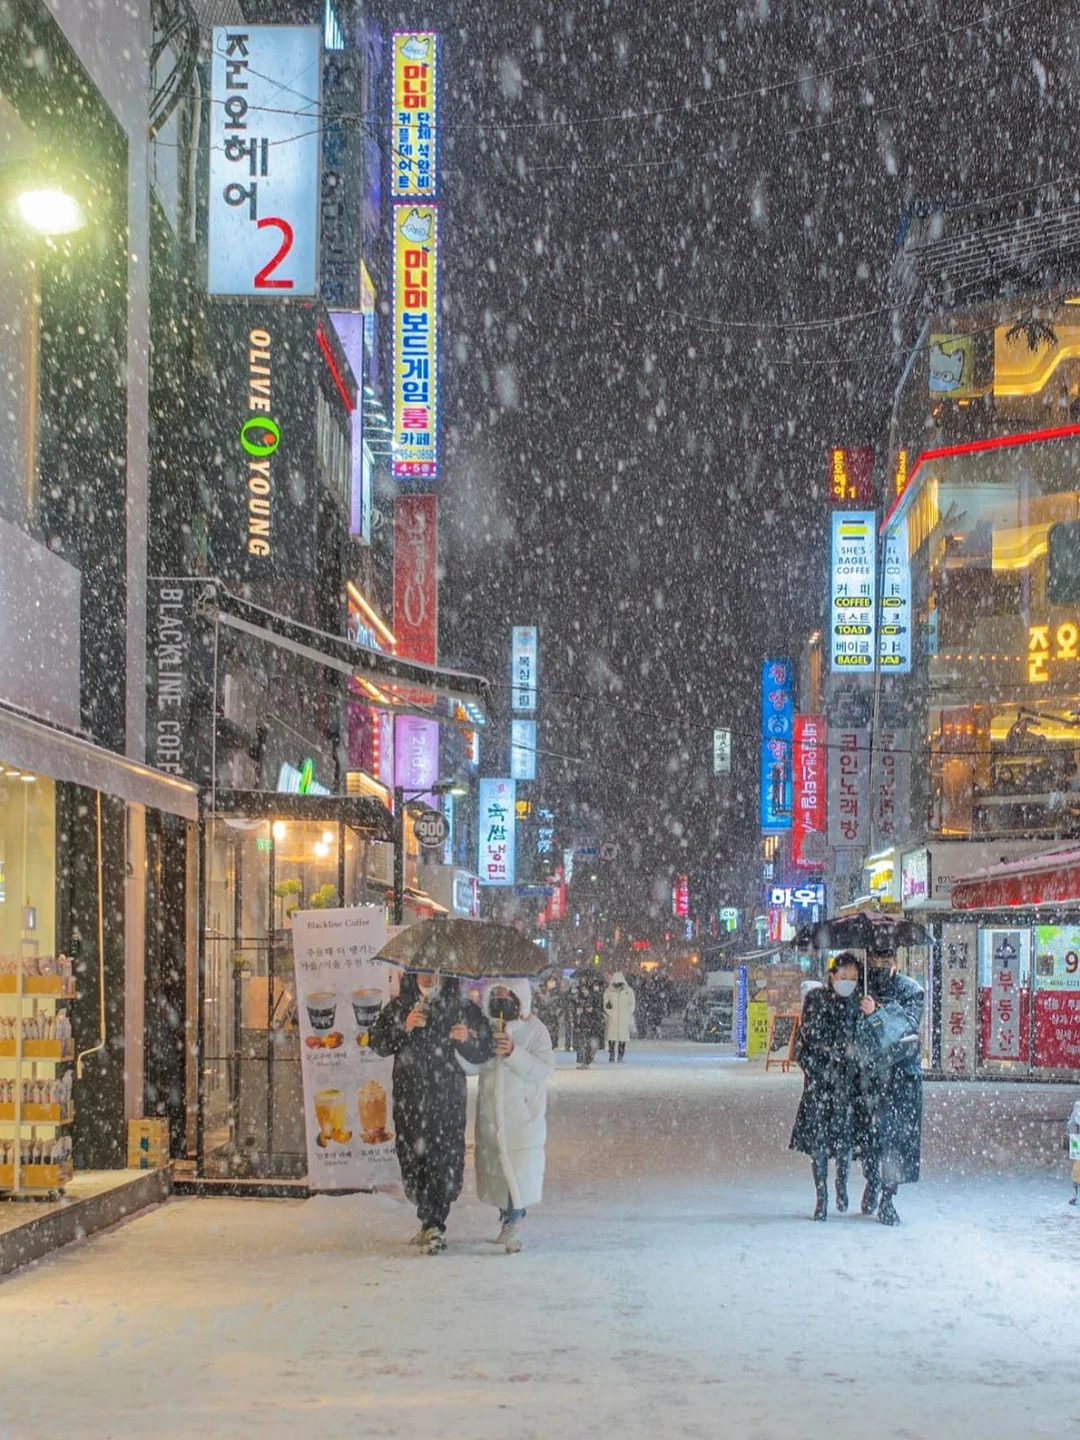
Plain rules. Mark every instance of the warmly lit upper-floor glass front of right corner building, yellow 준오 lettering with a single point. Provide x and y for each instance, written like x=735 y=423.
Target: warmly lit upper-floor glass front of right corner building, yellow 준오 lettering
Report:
x=994 y=542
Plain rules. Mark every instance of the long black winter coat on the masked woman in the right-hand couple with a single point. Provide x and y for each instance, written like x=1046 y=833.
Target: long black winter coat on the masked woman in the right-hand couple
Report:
x=826 y=1049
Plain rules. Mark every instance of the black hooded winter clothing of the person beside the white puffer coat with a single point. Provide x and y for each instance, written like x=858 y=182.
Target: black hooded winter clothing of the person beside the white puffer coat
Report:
x=430 y=1094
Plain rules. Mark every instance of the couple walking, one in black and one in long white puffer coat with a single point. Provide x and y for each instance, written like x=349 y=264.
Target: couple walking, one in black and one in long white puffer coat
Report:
x=436 y=1039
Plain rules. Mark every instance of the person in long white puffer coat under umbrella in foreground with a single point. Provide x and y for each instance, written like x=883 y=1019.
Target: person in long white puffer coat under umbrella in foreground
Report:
x=512 y=1125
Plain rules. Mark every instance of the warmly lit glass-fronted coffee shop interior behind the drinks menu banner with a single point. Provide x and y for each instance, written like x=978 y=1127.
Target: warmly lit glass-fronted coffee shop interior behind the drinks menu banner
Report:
x=267 y=858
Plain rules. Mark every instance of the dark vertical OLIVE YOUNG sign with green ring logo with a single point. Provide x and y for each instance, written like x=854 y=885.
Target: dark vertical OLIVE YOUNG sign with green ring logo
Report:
x=264 y=361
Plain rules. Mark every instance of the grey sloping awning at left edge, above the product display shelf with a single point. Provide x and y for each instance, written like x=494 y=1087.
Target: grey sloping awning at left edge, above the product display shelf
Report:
x=42 y=750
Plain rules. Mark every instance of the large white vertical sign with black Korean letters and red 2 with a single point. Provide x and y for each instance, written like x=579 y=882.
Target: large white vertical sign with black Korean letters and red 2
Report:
x=264 y=136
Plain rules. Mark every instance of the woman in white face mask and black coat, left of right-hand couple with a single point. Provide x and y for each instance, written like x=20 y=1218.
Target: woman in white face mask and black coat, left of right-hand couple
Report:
x=824 y=1049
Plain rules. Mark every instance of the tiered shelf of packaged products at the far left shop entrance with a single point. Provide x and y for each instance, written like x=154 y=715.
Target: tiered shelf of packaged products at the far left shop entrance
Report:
x=25 y=1062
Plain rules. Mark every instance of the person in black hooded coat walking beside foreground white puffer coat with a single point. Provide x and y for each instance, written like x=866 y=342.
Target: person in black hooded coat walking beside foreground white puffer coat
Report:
x=426 y=1030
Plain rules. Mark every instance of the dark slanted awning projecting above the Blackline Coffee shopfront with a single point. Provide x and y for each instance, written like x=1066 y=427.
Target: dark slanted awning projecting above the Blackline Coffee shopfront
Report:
x=401 y=685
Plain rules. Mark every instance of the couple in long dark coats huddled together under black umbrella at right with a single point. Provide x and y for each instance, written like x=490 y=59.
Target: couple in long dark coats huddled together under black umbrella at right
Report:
x=863 y=1082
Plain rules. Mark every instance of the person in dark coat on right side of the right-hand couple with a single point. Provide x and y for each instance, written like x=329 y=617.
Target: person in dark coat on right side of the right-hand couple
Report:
x=889 y=1092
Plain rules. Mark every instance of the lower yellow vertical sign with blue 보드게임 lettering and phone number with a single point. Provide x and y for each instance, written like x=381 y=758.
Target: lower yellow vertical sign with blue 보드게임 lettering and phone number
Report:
x=415 y=342
